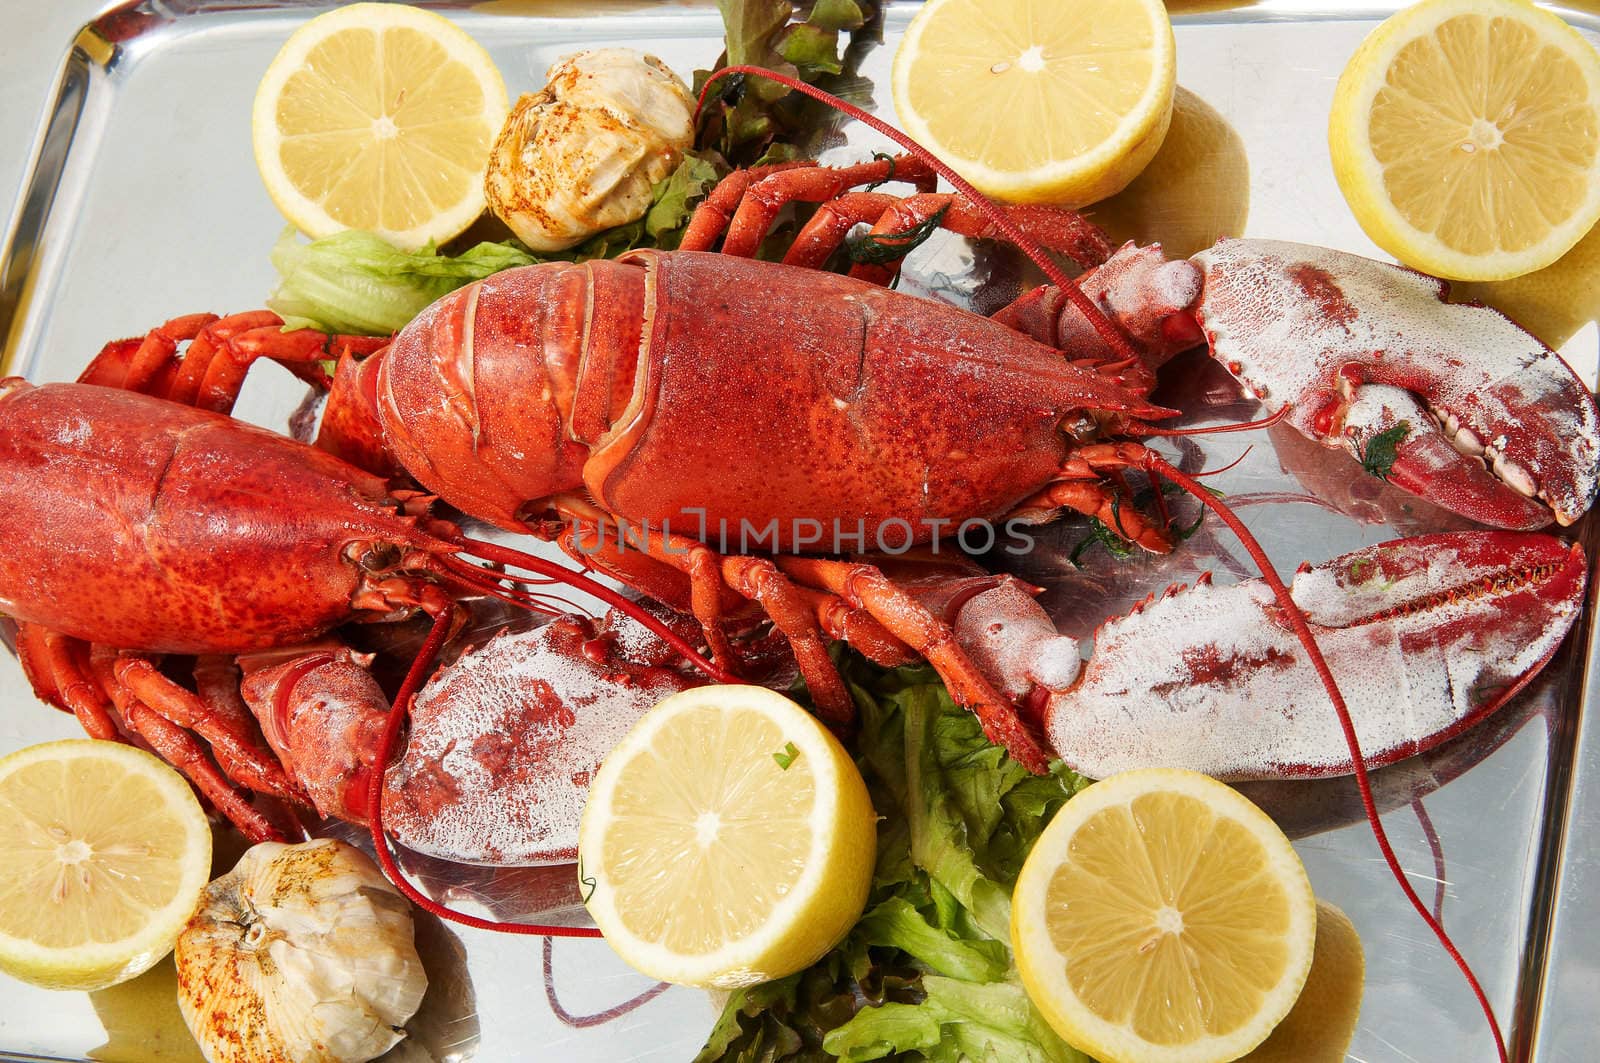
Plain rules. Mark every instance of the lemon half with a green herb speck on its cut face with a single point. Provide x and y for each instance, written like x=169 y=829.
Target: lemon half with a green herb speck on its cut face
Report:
x=727 y=841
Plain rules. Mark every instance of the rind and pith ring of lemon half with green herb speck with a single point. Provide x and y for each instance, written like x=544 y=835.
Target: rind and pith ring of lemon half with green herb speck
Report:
x=804 y=913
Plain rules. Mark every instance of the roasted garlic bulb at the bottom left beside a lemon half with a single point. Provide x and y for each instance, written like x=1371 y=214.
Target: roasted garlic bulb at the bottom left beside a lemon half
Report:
x=300 y=955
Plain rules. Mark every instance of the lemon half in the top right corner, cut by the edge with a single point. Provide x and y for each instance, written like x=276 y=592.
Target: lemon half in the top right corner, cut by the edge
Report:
x=1466 y=138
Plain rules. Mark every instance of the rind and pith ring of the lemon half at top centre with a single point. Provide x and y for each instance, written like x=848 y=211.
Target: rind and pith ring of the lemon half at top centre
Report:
x=1076 y=182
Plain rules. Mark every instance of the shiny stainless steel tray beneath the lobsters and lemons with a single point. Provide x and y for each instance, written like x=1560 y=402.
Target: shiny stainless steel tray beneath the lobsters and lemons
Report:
x=143 y=203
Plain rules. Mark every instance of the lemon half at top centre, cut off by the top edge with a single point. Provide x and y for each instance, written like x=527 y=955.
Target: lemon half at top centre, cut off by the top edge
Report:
x=1039 y=102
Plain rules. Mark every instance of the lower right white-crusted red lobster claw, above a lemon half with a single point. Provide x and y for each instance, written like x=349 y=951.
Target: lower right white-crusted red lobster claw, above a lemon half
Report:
x=1426 y=636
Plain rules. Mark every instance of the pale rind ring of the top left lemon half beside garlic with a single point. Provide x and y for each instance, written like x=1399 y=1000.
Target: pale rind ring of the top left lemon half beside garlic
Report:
x=306 y=214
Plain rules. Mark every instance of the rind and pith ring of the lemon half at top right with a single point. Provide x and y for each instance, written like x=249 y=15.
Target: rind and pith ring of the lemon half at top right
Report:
x=1361 y=175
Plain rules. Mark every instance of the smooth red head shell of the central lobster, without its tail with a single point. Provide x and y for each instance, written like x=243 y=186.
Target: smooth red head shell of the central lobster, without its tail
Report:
x=748 y=361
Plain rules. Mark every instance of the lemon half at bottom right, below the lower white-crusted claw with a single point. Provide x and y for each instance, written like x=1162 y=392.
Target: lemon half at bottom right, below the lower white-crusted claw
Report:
x=1162 y=918
